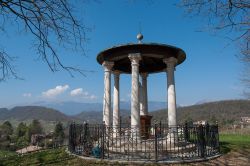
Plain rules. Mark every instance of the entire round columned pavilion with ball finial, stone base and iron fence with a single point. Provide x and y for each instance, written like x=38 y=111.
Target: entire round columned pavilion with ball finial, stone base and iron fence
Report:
x=140 y=141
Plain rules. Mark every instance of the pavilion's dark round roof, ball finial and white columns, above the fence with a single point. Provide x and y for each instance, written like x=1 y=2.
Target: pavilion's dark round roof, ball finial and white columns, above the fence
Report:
x=140 y=59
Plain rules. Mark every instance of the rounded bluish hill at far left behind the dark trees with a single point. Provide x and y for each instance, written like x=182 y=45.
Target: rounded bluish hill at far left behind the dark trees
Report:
x=32 y=112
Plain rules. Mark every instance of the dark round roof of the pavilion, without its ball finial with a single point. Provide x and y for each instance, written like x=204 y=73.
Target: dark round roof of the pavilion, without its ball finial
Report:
x=152 y=55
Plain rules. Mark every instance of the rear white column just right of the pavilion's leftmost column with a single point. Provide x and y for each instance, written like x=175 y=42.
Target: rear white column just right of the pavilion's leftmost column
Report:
x=116 y=103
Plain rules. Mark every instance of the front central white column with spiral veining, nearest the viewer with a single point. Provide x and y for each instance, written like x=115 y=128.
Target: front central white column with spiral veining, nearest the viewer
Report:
x=135 y=107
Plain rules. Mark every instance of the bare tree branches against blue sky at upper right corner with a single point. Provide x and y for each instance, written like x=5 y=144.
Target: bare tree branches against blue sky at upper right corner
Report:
x=230 y=18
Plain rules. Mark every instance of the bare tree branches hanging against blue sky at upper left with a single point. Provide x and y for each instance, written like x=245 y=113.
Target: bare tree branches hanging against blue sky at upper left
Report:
x=52 y=23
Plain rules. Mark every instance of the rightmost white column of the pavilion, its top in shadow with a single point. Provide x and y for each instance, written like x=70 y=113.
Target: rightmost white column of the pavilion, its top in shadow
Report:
x=171 y=62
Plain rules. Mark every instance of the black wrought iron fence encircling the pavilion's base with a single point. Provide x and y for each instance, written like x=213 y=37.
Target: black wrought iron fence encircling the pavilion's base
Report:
x=158 y=142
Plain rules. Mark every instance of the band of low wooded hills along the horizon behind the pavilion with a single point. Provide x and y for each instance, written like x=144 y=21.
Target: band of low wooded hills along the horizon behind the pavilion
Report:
x=225 y=112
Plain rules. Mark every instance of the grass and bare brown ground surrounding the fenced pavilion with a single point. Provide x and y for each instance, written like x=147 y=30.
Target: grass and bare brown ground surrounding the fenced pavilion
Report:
x=235 y=149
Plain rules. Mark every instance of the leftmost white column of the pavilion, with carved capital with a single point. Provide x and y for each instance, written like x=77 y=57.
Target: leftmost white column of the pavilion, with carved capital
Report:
x=107 y=94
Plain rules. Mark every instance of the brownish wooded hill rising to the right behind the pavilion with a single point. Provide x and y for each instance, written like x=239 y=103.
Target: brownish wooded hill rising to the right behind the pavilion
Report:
x=225 y=112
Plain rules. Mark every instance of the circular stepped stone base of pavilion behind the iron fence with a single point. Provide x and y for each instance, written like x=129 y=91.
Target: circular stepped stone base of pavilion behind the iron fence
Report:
x=165 y=150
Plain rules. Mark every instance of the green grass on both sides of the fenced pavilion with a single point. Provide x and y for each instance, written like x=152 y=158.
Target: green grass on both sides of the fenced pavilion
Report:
x=57 y=157
